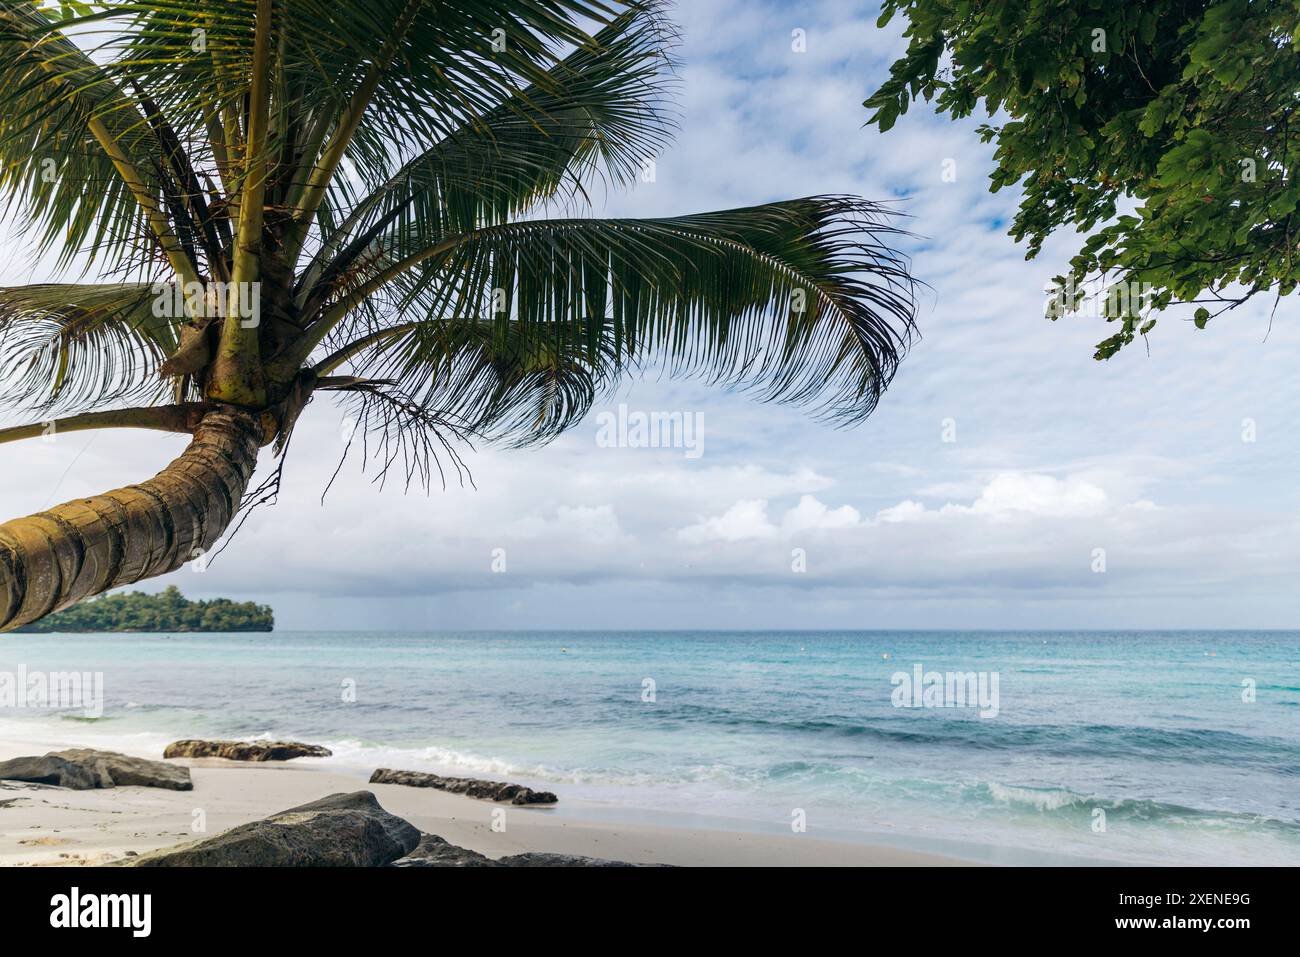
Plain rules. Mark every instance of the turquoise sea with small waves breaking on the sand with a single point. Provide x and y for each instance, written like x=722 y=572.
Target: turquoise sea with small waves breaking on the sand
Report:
x=751 y=729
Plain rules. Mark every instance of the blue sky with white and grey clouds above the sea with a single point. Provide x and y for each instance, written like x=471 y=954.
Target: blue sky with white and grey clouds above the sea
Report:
x=1007 y=480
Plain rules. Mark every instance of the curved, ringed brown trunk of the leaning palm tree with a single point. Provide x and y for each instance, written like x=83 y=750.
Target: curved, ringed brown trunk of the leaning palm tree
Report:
x=75 y=551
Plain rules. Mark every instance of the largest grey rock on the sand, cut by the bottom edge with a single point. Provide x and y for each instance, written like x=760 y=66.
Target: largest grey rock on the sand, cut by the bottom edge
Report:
x=337 y=832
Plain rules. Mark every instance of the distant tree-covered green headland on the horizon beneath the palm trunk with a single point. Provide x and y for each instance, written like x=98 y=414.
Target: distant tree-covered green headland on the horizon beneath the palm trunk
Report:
x=166 y=612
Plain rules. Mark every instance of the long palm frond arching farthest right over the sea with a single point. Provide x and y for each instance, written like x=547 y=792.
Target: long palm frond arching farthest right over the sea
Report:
x=800 y=302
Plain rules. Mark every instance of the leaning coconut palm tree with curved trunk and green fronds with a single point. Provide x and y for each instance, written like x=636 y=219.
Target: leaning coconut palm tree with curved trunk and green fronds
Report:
x=350 y=197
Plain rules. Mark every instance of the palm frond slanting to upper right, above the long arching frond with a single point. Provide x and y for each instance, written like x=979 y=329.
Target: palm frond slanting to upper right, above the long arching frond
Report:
x=603 y=111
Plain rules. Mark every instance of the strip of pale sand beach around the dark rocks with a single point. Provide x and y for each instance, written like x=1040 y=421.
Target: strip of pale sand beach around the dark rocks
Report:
x=46 y=826
